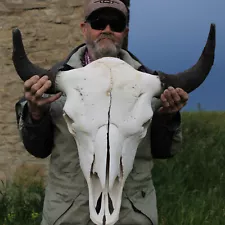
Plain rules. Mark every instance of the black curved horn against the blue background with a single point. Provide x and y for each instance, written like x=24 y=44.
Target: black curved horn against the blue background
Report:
x=192 y=78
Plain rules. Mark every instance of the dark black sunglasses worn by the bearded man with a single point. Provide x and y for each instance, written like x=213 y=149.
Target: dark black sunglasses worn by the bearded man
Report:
x=116 y=25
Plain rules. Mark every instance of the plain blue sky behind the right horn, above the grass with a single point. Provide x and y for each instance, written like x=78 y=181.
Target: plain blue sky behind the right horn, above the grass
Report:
x=169 y=35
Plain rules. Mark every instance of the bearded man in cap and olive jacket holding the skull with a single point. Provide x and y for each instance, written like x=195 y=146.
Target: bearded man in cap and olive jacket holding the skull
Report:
x=44 y=131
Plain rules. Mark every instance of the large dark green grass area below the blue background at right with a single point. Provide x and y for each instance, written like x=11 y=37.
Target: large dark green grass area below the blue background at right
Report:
x=191 y=186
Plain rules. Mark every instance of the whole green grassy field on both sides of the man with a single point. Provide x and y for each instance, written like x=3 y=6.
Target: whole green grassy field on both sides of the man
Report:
x=190 y=187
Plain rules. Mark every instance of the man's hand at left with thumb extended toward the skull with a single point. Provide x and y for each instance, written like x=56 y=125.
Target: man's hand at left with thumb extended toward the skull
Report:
x=34 y=88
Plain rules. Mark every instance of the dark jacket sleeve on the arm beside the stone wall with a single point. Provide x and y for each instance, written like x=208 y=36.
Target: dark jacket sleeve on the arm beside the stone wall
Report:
x=37 y=137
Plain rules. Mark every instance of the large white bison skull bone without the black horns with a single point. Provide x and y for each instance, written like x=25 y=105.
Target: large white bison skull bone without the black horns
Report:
x=108 y=110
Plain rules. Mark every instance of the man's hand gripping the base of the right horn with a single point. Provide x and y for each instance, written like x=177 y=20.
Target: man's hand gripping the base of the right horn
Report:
x=173 y=100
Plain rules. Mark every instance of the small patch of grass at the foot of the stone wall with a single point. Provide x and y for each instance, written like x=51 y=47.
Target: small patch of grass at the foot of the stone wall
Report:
x=21 y=203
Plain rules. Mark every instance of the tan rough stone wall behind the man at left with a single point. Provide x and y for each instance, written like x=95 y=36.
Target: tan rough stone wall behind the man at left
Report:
x=50 y=30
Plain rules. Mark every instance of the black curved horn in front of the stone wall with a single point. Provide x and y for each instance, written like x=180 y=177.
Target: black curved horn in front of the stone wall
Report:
x=24 y=67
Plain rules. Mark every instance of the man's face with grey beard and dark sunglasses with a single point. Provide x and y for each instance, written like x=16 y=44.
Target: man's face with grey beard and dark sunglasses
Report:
x=104 y=33
